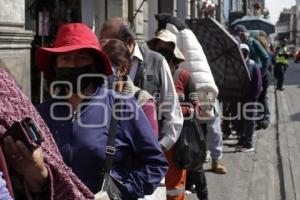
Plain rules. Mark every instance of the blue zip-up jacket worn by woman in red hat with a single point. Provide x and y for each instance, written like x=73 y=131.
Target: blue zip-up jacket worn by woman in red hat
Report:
x=82 y=141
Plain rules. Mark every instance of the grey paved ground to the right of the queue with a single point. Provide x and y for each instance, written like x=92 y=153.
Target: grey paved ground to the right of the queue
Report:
x=272 y=172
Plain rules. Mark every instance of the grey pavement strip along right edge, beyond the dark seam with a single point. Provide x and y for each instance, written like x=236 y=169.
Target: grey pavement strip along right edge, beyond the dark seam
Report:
x=289 y=140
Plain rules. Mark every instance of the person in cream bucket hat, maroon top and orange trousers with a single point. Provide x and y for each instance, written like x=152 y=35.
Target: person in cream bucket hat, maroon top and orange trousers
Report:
x=165 y=43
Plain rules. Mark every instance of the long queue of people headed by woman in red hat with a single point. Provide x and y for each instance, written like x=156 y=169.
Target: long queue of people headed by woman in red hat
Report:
x=149 y=88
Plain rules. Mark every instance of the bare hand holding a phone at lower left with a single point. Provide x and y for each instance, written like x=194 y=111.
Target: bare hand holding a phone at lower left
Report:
x=30 y=165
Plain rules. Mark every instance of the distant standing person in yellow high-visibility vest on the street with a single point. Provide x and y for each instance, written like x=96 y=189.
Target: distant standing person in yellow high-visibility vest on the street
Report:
x=281 y=64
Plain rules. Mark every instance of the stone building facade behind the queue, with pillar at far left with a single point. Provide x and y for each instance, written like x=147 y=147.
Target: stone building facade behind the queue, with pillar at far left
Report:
x=20 y=25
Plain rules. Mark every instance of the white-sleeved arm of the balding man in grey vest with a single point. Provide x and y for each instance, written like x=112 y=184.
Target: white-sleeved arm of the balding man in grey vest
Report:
x=169 y=110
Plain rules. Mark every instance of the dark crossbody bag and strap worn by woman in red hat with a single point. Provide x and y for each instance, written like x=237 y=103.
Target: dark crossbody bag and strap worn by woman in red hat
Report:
x=111 y=188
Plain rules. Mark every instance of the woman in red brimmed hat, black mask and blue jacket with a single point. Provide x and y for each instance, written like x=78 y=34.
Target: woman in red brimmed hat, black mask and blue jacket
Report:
x=80 y=111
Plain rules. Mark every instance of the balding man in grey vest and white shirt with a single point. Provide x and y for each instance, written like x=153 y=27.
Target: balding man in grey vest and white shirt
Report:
x=151 y=72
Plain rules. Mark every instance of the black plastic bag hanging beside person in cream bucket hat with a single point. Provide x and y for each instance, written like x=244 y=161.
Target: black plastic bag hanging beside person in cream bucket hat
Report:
x=190 y=148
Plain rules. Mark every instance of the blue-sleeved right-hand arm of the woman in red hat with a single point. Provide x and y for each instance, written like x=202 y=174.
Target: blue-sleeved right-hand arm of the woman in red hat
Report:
x=151 y=165
